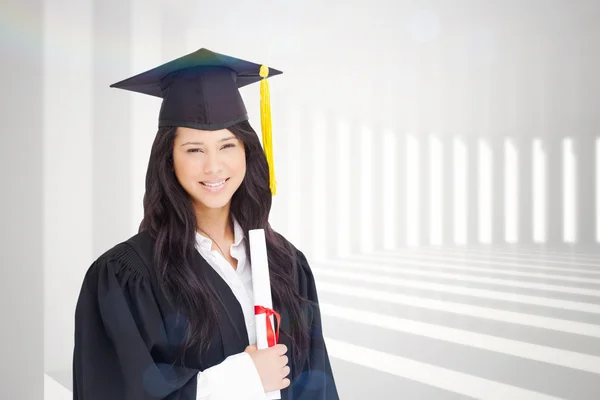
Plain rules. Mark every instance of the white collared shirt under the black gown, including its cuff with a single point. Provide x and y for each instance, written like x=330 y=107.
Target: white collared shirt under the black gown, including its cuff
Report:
x=215 y=383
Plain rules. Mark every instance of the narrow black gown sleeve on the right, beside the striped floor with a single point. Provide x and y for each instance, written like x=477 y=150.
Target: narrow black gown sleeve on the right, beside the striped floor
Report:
x=316 y=382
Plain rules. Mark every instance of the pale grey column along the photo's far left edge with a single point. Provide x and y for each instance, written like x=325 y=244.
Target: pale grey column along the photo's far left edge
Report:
x=21 y=166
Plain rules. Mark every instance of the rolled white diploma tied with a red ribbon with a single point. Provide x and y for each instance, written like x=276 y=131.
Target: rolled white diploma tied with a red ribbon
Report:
x=261 y=285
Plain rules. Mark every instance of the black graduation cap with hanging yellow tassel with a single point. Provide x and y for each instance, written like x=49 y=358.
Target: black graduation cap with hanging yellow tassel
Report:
x=201 y=90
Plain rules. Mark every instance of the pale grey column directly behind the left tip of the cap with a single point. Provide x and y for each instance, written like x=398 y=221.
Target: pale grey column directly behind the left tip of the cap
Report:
x=112 y=124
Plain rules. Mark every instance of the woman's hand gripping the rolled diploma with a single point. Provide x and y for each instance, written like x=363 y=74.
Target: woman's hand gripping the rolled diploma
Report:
x=271 y=364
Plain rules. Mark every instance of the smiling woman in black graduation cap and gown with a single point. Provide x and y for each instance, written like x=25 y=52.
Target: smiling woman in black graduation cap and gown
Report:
x=168 y=314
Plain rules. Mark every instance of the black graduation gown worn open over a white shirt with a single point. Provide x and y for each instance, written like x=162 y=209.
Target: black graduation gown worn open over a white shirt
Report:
x=126 y=346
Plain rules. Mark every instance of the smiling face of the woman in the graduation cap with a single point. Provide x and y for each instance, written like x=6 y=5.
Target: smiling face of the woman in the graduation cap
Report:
x=209 y=165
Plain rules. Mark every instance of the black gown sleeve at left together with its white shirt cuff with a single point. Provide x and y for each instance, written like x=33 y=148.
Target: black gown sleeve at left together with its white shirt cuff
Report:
x=117 y=325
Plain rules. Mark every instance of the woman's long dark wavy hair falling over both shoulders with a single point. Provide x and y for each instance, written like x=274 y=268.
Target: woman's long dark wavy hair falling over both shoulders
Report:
x=170 y=220
